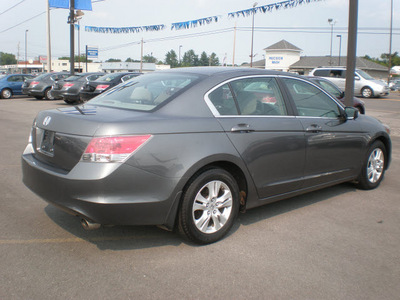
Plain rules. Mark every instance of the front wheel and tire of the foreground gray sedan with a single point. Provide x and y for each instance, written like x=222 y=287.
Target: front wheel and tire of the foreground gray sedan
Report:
x=374 y=165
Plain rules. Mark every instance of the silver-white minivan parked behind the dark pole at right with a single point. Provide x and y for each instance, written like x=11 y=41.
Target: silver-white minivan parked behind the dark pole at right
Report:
x=364 y=84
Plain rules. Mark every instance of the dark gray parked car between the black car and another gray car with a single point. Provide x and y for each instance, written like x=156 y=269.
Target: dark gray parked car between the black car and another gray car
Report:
x=68 y=89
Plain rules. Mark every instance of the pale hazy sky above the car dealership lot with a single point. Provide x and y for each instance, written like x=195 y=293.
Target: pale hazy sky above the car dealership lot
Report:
x=305 y=26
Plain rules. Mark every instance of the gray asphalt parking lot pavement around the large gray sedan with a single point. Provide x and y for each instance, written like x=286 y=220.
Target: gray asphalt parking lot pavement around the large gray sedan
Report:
x=337 y=243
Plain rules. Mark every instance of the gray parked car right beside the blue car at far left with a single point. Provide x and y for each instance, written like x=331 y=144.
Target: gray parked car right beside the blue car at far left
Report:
x=40 y=86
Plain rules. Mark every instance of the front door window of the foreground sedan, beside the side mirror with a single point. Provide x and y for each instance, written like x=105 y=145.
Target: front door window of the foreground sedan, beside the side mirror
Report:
x=310 y=100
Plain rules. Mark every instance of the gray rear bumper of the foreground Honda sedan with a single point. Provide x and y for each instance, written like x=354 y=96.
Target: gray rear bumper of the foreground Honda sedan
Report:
x=108 y=194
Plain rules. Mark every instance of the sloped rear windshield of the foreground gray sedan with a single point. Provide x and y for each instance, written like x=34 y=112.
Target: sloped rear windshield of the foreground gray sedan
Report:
x=145 y=92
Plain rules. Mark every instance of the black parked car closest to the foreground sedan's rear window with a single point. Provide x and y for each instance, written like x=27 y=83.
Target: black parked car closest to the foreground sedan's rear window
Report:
x=104 y=83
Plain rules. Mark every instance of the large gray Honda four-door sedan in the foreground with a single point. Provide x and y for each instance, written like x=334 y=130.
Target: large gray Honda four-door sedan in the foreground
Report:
x=190 y=148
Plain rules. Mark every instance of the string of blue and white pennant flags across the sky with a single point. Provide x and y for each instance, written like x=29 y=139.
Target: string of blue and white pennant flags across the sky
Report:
x=203 y=21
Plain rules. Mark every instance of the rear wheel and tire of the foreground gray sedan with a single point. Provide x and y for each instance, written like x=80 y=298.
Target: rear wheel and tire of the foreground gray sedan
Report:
x=199 y=208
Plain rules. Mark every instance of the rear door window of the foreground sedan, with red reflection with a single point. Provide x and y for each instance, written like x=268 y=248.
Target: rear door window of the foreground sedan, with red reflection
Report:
x=258 y=96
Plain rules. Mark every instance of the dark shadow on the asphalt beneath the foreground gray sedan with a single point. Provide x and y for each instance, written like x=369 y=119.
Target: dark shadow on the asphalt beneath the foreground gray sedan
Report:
x=141 y=237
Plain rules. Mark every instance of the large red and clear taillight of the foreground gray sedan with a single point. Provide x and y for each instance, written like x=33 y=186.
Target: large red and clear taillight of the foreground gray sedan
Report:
x=114 y=148
